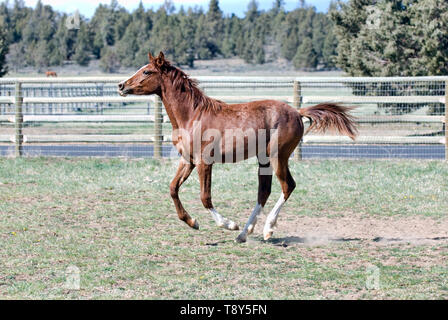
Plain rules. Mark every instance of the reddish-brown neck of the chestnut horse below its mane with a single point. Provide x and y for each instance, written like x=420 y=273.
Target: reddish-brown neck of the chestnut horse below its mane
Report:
x=177 y=107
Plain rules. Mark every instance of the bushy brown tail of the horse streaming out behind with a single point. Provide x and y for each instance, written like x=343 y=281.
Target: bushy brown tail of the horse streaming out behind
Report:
x=330 y=116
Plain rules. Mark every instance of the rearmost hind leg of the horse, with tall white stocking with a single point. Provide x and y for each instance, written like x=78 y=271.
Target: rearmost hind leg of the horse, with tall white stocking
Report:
x=287 y=184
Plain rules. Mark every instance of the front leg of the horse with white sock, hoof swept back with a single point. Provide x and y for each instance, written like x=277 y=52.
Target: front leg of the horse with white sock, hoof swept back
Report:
x=205 y=179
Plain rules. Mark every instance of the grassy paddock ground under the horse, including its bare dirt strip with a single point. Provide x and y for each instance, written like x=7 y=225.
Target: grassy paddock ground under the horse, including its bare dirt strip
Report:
x=114 y=220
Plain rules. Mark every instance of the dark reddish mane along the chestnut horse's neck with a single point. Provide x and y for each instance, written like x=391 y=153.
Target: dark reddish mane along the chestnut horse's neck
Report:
x=190 y=88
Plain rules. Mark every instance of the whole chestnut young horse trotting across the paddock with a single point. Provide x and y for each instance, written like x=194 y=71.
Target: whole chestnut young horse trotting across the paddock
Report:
x=200 y=134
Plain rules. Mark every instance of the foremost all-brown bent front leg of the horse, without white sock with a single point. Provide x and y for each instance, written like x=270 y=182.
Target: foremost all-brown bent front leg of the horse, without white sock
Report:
x=183 y=172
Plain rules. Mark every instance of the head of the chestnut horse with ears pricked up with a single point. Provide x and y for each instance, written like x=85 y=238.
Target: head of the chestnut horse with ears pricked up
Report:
x=147 y=80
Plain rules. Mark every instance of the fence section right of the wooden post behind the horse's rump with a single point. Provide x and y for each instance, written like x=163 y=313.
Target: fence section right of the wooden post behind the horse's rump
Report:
x=397 y=117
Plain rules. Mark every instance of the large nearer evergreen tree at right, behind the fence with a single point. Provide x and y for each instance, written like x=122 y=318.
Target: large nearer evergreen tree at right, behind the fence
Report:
x=376 y=40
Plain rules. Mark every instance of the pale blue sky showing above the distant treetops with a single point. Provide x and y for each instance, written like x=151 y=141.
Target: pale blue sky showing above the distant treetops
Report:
x=87 y=7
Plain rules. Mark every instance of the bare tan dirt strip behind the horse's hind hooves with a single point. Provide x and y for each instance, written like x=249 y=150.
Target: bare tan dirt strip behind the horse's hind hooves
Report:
x=356 y=227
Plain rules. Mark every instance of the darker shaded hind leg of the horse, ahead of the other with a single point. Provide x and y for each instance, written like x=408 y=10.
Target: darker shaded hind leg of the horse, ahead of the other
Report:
x=264 y=190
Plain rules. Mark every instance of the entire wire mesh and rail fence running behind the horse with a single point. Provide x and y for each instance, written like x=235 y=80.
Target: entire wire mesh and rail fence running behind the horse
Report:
x=397 y=117
